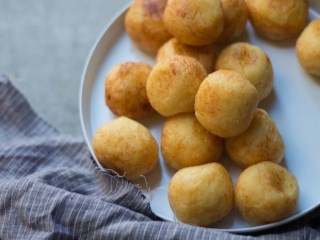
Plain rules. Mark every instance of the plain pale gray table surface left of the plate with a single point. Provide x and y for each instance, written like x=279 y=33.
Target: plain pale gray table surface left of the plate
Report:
x=43 y=48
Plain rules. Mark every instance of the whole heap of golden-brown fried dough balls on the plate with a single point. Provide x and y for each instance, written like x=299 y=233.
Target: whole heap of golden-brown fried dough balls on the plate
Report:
x=210 y=103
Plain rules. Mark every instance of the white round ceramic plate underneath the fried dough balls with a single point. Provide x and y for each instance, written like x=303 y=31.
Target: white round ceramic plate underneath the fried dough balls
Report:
x=294 y=105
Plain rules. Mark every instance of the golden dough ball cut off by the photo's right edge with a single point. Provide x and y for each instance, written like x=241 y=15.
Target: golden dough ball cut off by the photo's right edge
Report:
x=308 y=48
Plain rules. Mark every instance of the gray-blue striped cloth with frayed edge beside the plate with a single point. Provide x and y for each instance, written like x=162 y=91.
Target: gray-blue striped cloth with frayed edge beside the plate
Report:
x=49 y=189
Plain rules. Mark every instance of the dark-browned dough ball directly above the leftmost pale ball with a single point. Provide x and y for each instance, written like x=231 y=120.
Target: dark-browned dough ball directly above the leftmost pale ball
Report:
x=125 y=90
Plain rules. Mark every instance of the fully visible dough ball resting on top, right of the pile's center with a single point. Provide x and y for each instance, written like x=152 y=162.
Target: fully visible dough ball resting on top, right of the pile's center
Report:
x=226 y=103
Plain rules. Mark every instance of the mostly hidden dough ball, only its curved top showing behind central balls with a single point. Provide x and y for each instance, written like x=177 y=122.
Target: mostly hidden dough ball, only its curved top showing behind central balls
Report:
x=205 y=54
